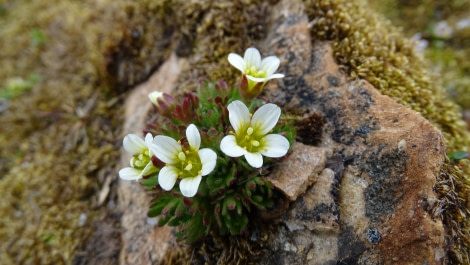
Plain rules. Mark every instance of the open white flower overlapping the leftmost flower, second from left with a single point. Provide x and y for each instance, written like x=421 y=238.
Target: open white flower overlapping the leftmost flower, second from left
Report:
x=187 y=163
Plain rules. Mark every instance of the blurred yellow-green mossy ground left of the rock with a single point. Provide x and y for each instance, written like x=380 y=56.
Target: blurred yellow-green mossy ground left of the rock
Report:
x=59 y=139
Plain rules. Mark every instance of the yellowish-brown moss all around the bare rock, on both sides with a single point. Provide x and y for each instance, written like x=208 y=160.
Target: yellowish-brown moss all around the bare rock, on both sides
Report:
x=60 y=139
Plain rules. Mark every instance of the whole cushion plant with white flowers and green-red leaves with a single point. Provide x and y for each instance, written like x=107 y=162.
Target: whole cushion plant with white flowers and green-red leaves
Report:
x=218 y=147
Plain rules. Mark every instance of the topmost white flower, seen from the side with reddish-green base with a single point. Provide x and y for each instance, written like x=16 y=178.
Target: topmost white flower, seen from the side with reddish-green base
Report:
x=256 y=72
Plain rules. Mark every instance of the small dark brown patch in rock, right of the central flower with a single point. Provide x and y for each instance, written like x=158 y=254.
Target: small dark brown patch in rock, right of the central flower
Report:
x=309 y=130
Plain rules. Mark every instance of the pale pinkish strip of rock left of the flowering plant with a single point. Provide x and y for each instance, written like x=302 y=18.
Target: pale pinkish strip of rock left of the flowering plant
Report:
x=143 y=242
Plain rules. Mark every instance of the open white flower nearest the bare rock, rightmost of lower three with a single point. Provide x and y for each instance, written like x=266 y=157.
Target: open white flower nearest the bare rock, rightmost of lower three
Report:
x=251 y=137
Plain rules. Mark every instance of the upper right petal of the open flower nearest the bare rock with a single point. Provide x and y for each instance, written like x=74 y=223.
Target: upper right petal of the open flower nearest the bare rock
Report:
x=265 y=118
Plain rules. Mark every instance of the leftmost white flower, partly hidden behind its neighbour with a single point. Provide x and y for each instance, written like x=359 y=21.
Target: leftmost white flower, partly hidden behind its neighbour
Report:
x=141 y=161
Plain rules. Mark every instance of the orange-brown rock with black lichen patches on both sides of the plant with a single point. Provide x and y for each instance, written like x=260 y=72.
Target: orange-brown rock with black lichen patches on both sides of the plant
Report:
x=363 y=188
